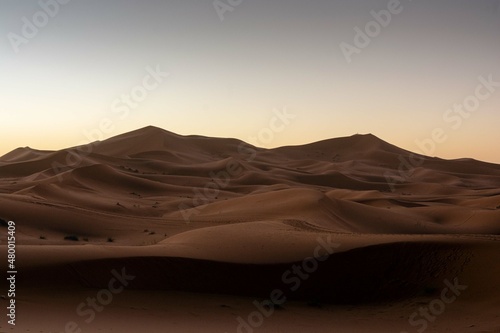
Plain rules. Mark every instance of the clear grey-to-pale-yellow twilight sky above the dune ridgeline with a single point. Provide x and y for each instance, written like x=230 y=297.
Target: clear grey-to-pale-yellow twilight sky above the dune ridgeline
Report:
x=66 y=67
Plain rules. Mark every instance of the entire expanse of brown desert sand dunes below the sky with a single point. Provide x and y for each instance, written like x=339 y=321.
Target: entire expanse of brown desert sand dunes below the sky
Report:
x=155 y=232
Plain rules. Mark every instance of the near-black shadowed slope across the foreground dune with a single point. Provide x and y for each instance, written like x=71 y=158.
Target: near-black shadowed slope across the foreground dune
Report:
x=385 y=272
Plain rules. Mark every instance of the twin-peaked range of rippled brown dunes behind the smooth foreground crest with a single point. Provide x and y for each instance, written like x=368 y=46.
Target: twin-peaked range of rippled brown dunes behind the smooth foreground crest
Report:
x=353 y=184
